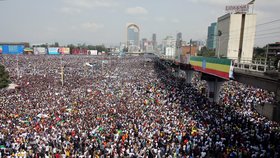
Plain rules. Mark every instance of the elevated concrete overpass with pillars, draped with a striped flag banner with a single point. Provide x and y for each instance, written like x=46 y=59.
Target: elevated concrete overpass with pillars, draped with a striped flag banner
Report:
x=254 y=73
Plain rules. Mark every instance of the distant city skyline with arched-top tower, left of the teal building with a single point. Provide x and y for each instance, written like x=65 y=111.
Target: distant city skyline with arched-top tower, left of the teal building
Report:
x=170 y=47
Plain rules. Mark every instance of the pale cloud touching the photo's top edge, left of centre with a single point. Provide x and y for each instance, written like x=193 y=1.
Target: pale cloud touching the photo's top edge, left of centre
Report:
x=90 y=3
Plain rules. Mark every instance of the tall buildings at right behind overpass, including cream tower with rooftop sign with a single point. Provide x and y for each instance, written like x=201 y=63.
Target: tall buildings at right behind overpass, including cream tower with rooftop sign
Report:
x=232 y=36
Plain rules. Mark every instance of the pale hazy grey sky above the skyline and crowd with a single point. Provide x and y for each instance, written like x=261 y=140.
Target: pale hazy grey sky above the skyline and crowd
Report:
x=104 y=21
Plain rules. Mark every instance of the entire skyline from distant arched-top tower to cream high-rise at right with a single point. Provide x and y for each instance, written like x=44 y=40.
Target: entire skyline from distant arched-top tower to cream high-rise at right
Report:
x=232 y=36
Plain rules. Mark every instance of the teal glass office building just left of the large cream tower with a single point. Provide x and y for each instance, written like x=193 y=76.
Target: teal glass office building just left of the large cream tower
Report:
x=212 y=36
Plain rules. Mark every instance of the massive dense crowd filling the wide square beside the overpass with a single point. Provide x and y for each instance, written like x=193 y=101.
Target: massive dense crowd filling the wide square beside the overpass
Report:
x=121 y=107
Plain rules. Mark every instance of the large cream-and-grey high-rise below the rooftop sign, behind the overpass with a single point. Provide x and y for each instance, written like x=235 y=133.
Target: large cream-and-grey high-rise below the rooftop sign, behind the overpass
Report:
x=236 y=36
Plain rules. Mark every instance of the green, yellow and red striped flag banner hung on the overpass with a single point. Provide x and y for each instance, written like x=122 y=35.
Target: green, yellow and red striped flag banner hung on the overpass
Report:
x=217 y=67
